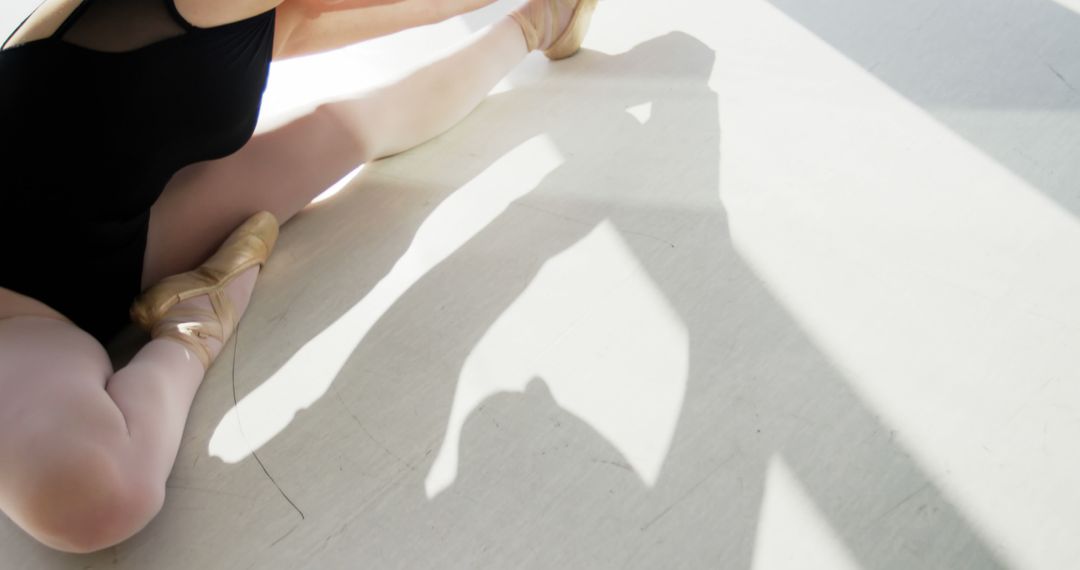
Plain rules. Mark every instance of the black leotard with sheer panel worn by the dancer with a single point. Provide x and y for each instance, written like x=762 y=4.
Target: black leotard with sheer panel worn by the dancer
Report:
x=94 y=121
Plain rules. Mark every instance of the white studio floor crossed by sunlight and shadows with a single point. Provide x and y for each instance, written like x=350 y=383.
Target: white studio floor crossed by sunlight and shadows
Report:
x=749 y=284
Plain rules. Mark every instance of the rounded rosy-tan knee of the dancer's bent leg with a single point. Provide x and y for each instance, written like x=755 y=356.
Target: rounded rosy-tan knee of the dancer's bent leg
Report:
x=86 y=500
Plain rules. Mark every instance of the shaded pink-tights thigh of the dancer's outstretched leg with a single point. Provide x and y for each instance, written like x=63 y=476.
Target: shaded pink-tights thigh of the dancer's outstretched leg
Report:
x=280 y=171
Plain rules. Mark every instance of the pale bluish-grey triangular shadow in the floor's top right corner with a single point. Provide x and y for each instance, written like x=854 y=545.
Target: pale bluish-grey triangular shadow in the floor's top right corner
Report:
x=1003 y=74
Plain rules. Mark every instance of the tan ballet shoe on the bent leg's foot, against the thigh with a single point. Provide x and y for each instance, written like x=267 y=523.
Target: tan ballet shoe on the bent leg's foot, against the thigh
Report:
x=155 y=310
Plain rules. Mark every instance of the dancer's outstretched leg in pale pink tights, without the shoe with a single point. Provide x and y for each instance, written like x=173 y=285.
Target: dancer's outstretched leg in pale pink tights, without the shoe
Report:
x=285 y=170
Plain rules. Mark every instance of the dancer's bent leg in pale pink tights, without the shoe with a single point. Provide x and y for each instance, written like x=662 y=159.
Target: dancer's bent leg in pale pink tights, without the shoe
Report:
x=85 y=452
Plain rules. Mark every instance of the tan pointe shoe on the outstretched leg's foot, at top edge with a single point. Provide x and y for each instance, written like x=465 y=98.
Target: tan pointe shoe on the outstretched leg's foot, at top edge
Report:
x=535 y=18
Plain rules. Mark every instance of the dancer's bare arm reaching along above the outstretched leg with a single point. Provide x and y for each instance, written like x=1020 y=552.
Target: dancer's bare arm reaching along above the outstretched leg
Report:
x=313 y=26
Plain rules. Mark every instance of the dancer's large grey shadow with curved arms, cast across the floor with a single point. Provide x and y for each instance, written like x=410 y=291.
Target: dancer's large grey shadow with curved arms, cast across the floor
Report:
x=758 y=388
